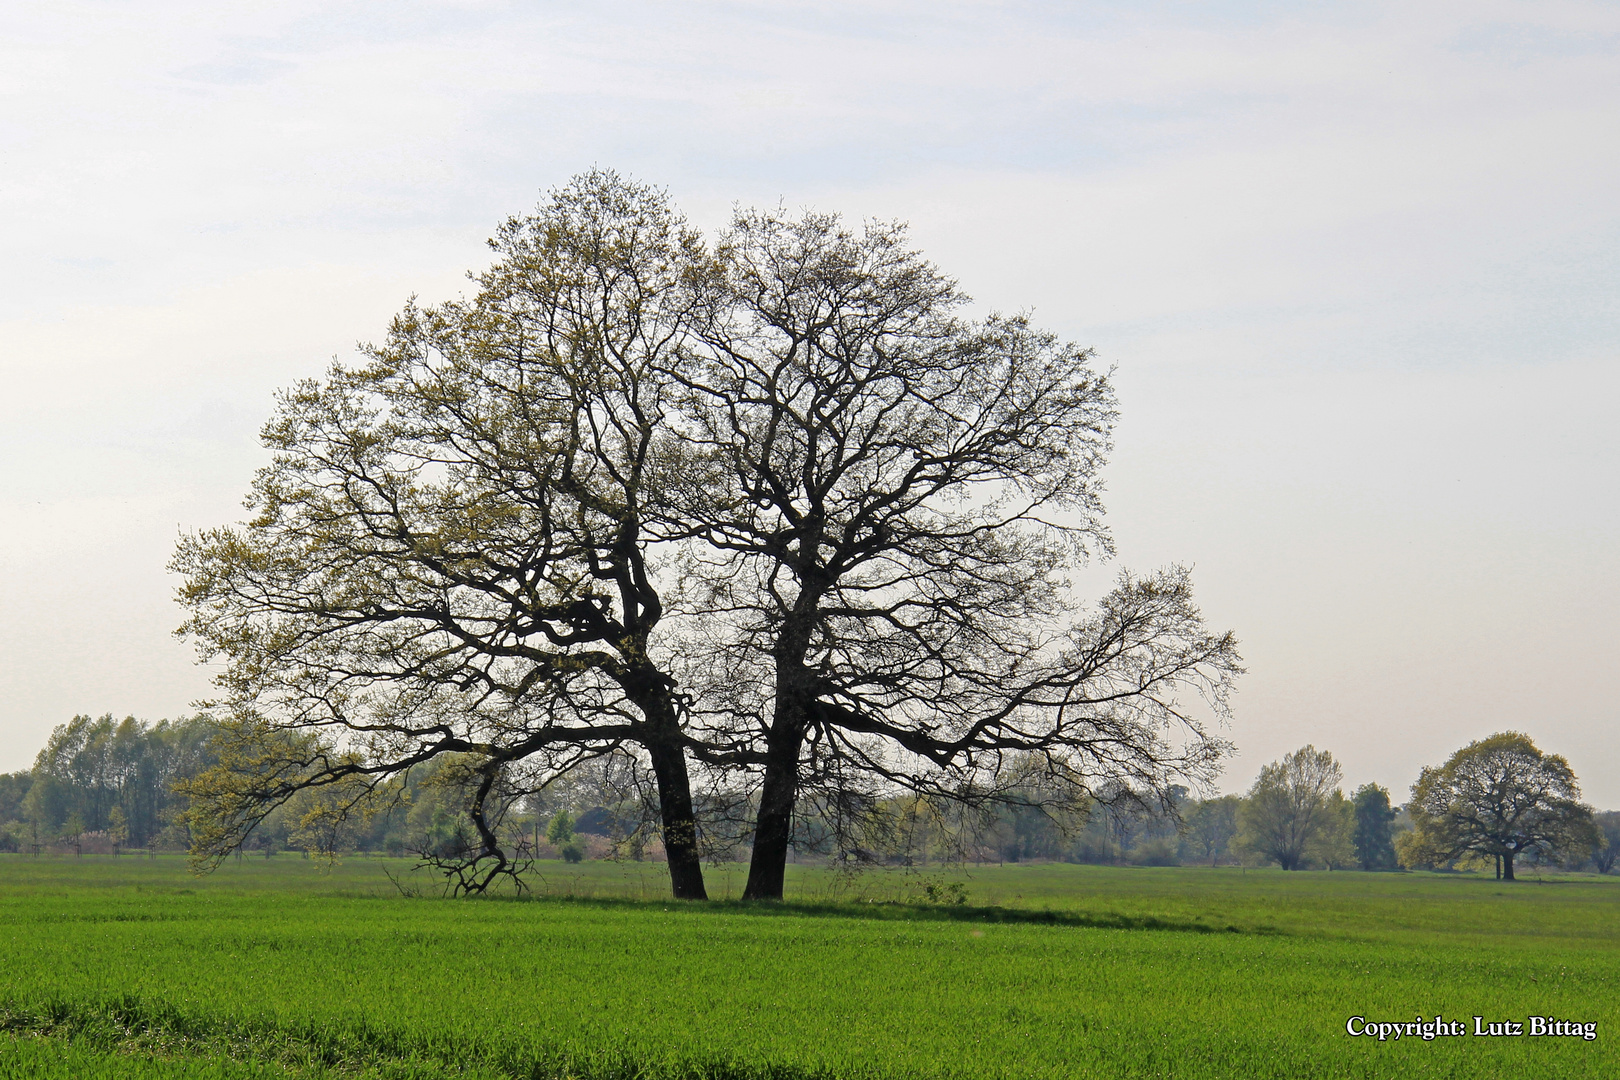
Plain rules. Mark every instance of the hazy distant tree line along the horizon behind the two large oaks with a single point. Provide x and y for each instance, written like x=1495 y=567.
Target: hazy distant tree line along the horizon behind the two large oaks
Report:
x=106 y=786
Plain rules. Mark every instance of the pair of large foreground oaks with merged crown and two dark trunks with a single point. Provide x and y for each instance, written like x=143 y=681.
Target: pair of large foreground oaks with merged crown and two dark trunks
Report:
x=772 y=509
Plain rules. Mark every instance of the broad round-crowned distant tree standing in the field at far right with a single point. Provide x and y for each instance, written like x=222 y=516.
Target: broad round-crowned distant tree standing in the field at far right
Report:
x=1501 y=799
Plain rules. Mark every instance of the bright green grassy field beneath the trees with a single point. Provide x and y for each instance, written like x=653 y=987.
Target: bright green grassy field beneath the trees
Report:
x=286 y=967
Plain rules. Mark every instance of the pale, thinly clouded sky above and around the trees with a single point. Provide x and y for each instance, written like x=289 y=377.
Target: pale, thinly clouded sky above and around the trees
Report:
x=1355 y=266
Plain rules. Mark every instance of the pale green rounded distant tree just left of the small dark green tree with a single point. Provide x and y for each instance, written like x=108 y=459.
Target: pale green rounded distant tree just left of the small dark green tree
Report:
x=1295 y=810
